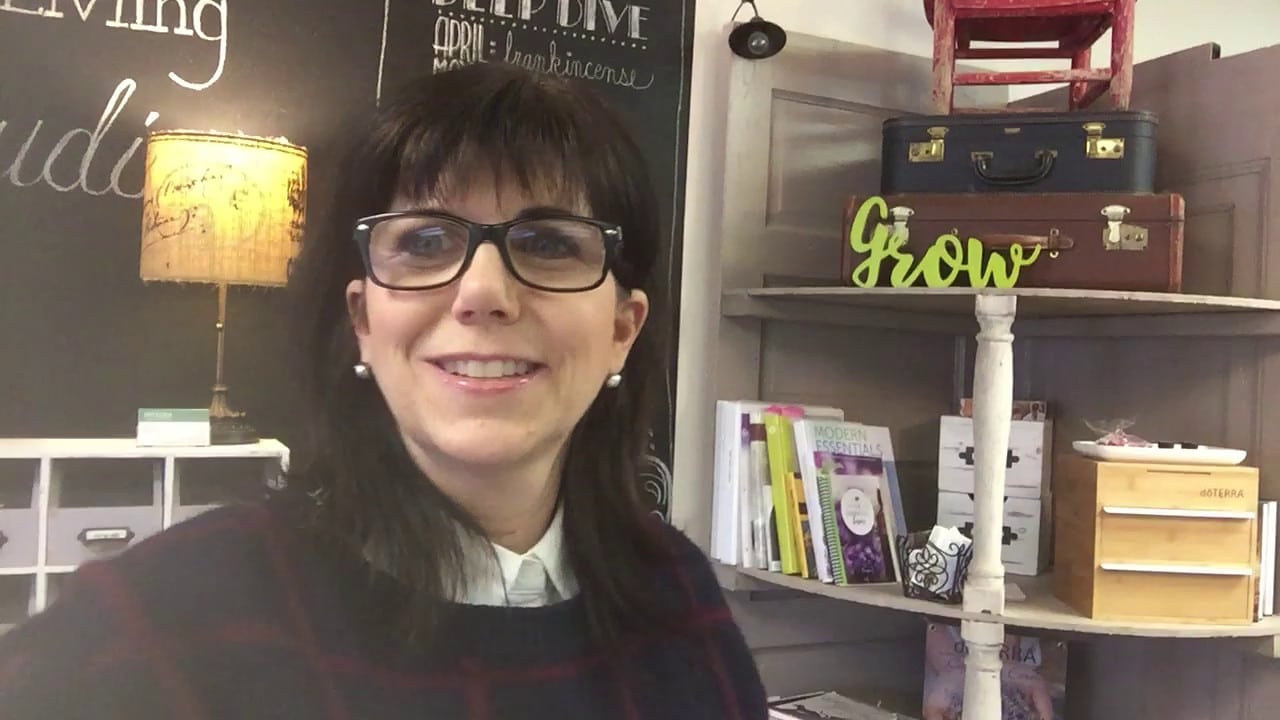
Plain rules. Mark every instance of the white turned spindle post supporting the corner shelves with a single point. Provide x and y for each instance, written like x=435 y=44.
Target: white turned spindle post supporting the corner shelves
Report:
x=985 y=586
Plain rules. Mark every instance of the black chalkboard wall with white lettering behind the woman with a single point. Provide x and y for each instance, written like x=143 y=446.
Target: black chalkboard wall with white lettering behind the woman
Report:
x=85 y=343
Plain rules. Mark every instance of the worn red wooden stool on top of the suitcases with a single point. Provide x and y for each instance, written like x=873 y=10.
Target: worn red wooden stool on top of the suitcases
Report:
x=1075 y=25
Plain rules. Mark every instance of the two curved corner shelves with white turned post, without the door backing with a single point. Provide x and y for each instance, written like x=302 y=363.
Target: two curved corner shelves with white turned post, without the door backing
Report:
x=986 y=612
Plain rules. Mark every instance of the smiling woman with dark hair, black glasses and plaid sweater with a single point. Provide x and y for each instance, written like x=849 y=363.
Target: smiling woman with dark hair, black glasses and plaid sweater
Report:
x=465 y=537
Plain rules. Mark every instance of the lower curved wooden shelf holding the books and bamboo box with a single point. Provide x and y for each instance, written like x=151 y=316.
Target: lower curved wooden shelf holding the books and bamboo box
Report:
x=1040 y=610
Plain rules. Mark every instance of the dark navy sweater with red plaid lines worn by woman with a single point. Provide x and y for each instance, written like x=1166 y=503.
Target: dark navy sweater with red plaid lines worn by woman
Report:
x=232 y=616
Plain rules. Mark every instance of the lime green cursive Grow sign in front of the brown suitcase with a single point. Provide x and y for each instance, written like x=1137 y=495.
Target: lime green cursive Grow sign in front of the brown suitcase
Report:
x=947 y=256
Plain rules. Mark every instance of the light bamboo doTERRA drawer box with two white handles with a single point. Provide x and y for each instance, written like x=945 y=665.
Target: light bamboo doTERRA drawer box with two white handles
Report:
x=1165 y=544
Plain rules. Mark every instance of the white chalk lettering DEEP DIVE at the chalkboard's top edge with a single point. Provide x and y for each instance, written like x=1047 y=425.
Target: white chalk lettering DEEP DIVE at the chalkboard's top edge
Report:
x=609 y=17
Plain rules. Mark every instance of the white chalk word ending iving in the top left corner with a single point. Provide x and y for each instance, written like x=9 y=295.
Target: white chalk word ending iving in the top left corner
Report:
x=205 y=20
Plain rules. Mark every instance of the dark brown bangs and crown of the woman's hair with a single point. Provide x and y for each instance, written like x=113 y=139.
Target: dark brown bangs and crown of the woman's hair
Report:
x=492 y=129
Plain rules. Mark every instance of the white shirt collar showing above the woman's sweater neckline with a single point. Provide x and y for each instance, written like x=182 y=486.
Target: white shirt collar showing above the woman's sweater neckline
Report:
x=541 y=577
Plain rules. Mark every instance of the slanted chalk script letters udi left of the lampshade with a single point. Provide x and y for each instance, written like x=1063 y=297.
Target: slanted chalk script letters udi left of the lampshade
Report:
x=24 y=175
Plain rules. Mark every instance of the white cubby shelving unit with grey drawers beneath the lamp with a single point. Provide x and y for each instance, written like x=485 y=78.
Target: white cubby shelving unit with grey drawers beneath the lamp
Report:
x=72 y=500
